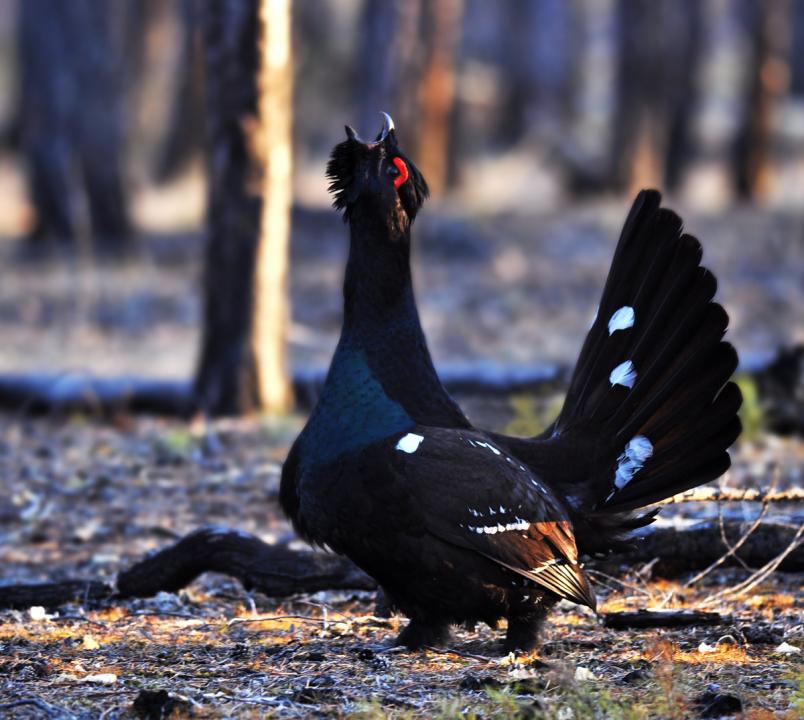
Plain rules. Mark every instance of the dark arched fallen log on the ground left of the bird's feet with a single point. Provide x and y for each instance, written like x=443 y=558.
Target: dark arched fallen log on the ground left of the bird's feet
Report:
x=274 y=570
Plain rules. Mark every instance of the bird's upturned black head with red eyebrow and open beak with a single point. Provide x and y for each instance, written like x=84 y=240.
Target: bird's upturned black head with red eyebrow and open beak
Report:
x=375 y=177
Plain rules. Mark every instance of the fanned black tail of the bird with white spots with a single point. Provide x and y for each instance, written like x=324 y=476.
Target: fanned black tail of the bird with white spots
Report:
x=650 y=405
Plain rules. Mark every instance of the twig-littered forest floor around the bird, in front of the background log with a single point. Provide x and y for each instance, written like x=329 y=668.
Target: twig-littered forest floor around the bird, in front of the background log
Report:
x=81 y=499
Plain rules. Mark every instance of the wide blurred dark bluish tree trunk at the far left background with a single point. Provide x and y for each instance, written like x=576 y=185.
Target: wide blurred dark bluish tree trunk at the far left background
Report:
x=72 y=118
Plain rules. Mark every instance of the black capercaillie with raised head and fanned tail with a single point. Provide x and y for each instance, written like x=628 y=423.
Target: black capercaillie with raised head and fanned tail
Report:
x=459 y=525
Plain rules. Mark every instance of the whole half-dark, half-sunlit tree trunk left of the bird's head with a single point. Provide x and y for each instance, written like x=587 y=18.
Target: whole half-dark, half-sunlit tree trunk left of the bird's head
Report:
x=241 y=366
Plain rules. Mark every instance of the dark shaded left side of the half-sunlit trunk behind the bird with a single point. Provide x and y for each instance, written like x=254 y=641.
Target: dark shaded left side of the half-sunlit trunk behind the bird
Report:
x=226 y=376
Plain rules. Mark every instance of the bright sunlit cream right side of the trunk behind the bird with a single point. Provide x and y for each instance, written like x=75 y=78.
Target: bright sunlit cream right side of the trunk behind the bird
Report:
x=271 y=311
